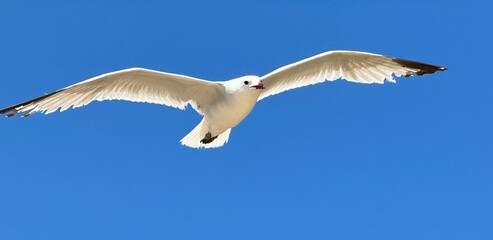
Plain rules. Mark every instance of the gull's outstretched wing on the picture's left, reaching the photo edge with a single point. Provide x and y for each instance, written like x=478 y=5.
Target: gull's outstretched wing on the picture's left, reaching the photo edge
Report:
x=134 y=84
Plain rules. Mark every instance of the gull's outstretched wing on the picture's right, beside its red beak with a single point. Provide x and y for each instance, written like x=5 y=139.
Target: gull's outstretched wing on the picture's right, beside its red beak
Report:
x=352 y=66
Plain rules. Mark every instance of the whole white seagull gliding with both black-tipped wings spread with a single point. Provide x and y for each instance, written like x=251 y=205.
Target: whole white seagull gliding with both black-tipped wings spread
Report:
x=223 y=104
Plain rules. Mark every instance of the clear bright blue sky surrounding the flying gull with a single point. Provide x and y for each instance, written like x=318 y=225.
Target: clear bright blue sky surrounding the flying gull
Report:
x=412 y=160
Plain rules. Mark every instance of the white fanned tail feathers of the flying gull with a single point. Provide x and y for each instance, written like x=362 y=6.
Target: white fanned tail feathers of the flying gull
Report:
x=193 y=138
